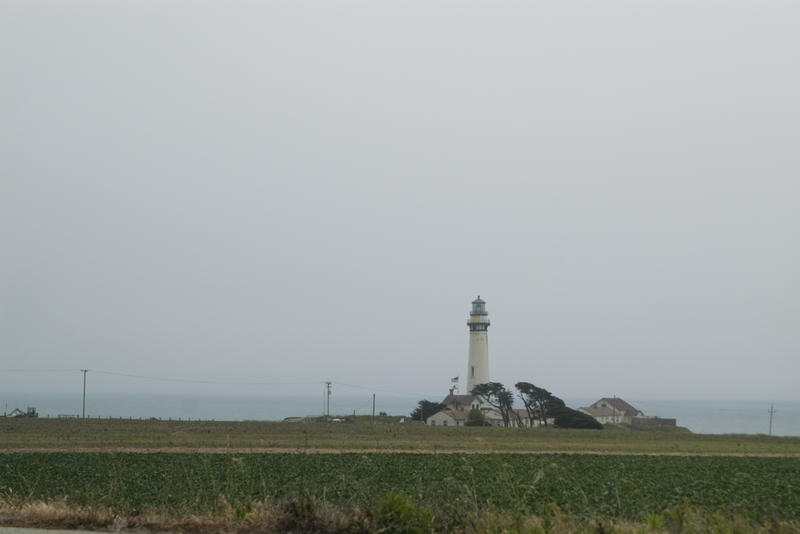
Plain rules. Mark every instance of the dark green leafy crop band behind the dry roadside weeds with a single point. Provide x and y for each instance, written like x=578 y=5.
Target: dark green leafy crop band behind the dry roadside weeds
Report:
x=443 y=485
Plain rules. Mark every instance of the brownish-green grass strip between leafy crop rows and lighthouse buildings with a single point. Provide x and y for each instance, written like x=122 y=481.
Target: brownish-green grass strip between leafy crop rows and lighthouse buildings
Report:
x=120 y=434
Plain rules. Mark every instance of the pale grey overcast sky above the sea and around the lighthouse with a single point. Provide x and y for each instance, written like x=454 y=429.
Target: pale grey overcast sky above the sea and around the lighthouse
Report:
x=301 y=191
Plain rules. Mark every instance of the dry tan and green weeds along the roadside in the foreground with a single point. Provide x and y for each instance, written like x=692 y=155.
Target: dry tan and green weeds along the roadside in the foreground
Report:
x=392 y=516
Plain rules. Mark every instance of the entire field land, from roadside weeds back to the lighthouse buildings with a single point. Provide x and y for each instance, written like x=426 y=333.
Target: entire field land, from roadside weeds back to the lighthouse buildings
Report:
x=205 y=476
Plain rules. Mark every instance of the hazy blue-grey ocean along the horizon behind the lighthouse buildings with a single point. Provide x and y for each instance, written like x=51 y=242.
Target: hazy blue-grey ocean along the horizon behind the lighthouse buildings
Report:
x=708 y=416
